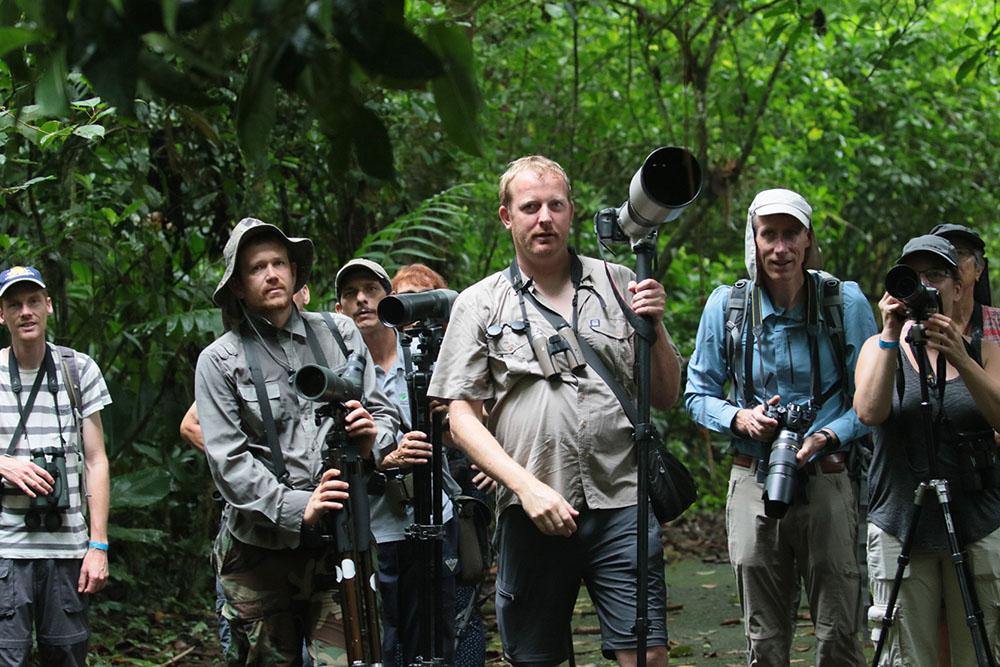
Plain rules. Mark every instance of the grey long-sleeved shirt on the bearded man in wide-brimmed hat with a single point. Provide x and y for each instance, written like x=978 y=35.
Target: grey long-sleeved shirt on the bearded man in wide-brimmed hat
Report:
x=261 y=510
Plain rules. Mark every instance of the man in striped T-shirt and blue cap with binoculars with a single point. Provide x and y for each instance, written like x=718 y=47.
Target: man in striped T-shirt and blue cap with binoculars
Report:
x=51 y=399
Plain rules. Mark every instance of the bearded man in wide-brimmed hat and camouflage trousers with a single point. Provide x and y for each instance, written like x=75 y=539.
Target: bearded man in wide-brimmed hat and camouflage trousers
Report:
x=277 y=576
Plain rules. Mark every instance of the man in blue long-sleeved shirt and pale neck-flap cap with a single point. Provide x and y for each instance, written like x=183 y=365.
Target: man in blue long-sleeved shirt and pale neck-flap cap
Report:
x=789 y=339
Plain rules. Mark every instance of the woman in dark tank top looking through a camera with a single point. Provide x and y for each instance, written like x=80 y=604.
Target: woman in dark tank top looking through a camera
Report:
x=965 y=409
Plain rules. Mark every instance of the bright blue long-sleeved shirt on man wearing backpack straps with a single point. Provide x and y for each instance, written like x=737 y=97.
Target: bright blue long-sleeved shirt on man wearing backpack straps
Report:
x=781 y=365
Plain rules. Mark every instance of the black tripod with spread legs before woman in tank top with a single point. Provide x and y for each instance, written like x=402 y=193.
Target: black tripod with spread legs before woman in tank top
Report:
x=973 y=612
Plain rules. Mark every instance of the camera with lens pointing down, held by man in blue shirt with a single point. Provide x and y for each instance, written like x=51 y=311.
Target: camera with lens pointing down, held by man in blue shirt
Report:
x=779 y=487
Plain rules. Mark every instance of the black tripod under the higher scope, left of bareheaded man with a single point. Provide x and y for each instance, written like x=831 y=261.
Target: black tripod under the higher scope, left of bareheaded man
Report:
x=428 y=483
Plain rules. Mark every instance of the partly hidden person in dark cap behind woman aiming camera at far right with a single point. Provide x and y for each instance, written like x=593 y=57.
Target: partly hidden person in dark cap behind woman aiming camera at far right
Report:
x=980 y=318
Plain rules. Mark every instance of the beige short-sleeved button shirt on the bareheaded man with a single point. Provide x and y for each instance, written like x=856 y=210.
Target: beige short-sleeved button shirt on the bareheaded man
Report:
x=571 y=434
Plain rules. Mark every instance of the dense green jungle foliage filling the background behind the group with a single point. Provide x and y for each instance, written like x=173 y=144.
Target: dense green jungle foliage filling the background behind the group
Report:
x=135 y=134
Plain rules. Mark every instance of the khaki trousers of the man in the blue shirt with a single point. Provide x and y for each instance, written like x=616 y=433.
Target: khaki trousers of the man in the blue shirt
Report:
x=815 y=540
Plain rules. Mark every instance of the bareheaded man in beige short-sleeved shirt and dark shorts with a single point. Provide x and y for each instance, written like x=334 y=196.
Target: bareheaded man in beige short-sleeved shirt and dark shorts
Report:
x=557 y=440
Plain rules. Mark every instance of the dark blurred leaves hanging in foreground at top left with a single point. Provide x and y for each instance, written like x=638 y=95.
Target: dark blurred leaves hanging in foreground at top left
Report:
x=199 y=53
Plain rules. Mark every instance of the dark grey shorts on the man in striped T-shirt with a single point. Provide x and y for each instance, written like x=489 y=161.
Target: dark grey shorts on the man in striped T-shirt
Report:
x=41 y=595
